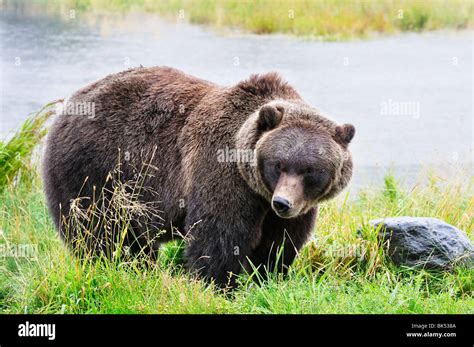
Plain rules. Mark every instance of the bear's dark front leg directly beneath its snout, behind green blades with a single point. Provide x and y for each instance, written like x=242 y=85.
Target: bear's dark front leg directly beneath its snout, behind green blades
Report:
x=281 y=241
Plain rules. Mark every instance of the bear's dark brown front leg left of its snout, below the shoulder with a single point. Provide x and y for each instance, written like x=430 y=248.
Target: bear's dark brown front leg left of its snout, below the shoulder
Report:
x=221 y=236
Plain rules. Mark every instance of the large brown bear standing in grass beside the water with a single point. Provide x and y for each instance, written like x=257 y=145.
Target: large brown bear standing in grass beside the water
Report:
x=238 y=171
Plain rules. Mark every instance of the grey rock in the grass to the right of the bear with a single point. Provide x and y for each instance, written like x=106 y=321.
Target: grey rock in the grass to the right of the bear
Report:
x=425 y=242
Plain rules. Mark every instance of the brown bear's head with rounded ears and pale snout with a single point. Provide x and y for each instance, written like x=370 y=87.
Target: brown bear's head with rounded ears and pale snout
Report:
x=302 y=157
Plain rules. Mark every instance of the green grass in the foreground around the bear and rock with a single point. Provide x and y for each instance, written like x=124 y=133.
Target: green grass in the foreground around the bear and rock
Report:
x=322 y=280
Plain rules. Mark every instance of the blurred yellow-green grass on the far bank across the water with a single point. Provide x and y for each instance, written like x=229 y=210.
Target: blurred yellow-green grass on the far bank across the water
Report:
x=324 y=19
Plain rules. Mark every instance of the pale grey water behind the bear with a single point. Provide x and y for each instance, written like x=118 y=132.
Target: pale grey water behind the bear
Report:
x=409 y=96
